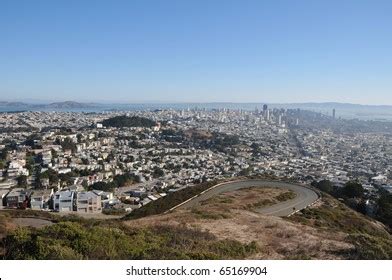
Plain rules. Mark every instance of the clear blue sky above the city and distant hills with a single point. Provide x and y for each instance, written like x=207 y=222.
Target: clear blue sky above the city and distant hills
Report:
x=196 y=51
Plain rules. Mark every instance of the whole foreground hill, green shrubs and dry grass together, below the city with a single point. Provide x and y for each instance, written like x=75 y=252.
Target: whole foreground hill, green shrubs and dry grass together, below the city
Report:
x=223 y=227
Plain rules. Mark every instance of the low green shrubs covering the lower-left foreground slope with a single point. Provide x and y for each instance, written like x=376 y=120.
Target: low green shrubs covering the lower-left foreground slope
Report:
x=89 y=239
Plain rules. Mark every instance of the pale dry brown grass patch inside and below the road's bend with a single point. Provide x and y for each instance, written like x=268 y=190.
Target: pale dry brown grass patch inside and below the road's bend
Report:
x=278 y=238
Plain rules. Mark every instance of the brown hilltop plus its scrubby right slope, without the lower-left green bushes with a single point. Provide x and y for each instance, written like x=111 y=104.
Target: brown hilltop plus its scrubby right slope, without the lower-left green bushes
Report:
x=327 y=230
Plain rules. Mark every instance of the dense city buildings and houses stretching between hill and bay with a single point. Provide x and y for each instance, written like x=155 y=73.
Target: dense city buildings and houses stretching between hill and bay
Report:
x=93 y=162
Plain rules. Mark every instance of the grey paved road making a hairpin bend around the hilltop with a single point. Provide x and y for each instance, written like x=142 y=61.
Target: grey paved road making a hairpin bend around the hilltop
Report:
x=304 y=197
